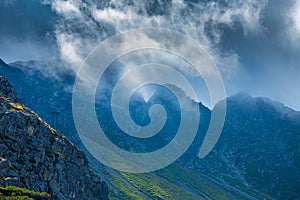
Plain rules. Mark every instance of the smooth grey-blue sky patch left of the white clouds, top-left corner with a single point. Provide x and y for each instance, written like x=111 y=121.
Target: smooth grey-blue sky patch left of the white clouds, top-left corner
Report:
x=26 y=30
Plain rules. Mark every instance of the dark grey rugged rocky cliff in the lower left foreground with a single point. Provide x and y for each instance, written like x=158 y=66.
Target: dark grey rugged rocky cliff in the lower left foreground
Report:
x=35 y=156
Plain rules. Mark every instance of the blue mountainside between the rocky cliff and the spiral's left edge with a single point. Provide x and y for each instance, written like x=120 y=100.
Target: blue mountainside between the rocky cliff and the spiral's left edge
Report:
x=45 y=94
